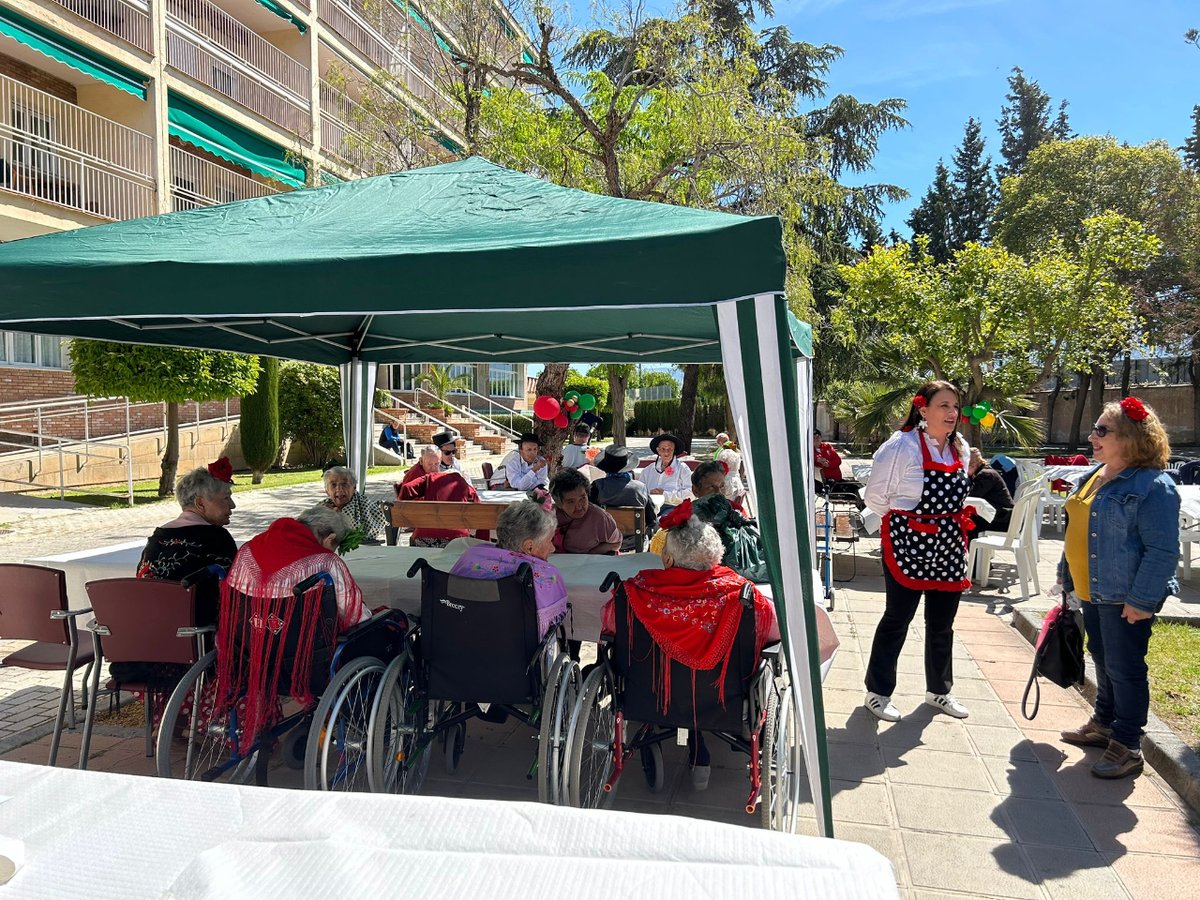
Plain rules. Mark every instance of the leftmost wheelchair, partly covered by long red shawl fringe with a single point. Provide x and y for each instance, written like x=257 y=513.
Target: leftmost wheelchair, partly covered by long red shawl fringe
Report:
x=327 y=737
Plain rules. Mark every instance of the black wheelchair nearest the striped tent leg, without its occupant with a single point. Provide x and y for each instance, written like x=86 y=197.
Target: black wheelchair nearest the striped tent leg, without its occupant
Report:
x=755 y=718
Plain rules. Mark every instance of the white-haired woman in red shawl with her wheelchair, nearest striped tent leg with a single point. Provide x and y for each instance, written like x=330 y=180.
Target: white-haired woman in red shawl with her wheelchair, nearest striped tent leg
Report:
x=683 y=649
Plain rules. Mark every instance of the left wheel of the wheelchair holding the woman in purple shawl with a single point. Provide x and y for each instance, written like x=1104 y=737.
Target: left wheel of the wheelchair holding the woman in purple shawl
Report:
x=398 y=741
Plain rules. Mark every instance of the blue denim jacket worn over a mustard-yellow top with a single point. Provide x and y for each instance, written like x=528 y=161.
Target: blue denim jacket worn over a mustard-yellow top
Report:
x=1133 y=541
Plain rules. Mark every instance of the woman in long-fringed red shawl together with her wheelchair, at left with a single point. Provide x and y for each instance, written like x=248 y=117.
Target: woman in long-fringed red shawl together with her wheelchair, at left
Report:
x=292 y=625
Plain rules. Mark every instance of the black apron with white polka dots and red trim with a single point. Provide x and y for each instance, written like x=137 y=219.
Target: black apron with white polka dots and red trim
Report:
x=926 y=549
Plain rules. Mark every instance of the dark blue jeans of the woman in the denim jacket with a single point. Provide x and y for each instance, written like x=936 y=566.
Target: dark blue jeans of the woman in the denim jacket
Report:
x=1123 y=687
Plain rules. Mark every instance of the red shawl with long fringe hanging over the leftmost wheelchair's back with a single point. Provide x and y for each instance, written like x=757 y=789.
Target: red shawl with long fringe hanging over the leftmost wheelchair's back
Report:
x=257 y=610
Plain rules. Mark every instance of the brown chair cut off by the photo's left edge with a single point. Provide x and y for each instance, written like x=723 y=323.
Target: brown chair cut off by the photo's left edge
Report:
x=34 y=608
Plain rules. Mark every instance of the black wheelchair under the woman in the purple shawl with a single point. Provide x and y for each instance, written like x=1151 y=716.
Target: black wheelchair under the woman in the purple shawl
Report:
x=476 y=653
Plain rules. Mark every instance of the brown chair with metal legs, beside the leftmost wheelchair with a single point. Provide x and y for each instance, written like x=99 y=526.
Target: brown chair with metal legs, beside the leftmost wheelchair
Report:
x=141 y=621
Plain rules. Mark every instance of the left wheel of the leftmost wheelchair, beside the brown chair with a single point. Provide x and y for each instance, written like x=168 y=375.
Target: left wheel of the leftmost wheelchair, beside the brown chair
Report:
x=214 y=749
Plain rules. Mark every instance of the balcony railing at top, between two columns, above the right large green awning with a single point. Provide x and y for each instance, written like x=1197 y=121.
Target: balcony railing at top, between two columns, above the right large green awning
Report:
x=207 y=44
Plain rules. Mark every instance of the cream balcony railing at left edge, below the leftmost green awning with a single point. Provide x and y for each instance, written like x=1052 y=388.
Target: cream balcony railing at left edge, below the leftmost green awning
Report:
x=56 y=152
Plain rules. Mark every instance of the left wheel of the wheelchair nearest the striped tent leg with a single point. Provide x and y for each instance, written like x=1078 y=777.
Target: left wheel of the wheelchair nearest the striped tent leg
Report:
x=590 y=743
